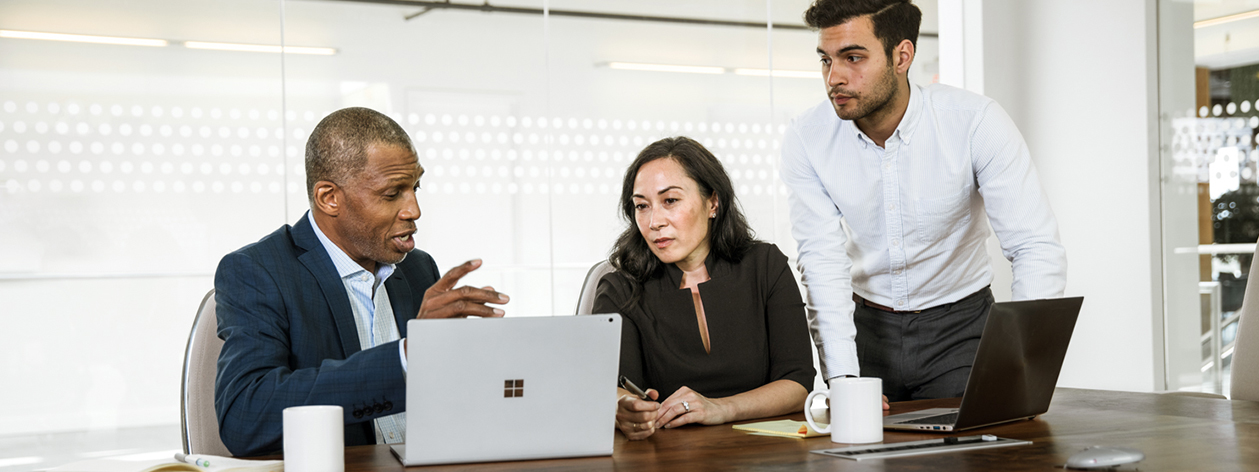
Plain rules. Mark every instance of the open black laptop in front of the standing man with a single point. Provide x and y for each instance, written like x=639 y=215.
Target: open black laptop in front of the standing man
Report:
x=1015 y=368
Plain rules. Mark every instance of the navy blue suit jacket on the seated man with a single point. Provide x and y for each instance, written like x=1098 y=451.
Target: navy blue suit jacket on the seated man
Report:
x=290 y=340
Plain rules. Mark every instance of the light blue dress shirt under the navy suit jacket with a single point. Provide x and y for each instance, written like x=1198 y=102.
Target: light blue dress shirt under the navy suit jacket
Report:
x=373 y=317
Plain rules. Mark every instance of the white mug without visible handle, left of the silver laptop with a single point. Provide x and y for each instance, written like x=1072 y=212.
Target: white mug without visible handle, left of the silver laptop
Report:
x=315 y=439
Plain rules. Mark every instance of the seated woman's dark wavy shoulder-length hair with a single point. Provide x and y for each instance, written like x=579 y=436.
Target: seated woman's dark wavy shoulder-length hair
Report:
x=730 y=233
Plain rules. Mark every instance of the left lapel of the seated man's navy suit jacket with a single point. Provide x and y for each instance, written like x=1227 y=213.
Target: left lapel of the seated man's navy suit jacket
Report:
x=317 y=260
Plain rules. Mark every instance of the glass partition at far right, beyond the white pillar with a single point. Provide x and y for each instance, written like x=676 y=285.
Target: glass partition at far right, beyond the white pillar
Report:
x=1209 y=76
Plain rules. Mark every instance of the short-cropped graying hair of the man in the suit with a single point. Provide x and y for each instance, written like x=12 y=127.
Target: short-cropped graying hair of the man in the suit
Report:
x=338 y=147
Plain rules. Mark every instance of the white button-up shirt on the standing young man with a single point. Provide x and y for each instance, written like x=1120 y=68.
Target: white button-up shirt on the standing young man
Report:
x=906 y=226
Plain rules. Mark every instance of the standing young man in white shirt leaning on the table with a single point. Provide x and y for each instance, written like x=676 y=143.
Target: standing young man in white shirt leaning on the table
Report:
x=893 y=187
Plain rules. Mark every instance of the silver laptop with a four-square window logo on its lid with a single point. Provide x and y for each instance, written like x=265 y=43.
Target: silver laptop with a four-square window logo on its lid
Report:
x=511 y=390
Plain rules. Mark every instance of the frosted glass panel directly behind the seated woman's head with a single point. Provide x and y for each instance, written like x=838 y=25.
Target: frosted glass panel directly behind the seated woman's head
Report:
x=613 y=94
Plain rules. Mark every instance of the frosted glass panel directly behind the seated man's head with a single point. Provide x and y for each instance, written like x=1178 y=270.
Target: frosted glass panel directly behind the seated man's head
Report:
x=475 y=108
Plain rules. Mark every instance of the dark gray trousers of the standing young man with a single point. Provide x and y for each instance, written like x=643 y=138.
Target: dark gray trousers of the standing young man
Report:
x=922 y=356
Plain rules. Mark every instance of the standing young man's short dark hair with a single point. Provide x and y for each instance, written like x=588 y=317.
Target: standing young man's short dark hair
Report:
x=895 y=21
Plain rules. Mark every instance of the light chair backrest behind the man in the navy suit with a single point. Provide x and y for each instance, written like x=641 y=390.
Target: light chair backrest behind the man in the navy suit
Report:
x=201 y=426
